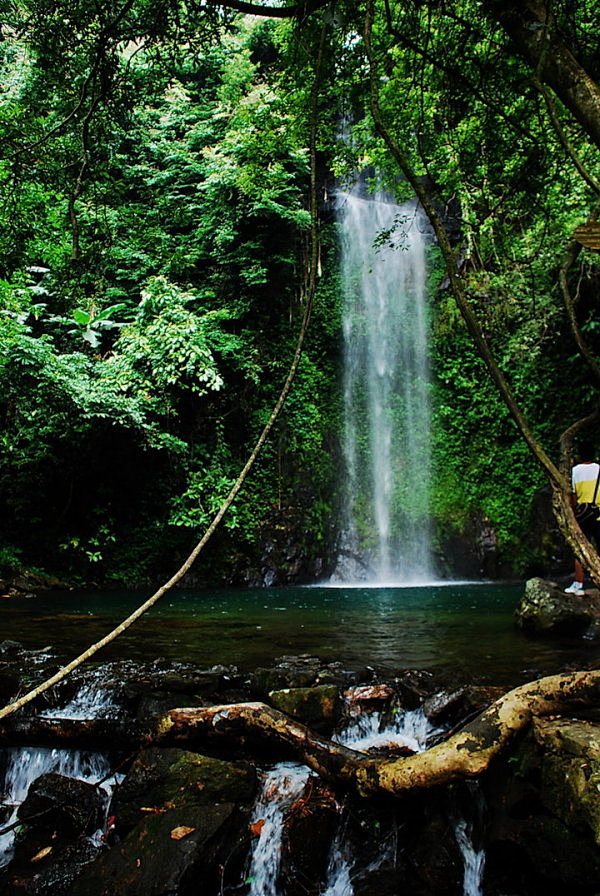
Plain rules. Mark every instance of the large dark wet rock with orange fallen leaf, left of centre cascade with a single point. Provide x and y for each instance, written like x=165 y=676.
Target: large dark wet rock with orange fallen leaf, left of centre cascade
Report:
x=184 y=818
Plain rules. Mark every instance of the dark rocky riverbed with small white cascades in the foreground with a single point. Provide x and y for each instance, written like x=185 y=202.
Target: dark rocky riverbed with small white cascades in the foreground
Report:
x=132 y=818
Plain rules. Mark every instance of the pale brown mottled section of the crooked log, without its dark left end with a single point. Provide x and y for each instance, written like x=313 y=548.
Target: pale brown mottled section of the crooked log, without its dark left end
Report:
x=467 y=754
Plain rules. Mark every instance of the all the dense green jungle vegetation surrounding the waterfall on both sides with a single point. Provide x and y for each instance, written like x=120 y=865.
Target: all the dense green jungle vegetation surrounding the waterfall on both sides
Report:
x=154 y=259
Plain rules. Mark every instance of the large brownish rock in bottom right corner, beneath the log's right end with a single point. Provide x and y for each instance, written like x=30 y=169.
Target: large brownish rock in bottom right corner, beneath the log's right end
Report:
x=544 y=812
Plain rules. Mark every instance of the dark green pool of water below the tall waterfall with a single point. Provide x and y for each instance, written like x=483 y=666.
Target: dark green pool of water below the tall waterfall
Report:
x=466 y=629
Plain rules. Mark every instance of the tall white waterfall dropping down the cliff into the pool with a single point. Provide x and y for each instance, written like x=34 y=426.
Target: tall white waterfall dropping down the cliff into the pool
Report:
x=385 y=519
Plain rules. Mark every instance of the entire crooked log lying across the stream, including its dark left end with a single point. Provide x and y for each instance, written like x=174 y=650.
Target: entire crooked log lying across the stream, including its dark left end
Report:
x=466 y=754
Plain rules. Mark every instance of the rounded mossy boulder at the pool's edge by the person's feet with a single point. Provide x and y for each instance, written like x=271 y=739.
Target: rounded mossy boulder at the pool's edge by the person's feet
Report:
x=545 y=609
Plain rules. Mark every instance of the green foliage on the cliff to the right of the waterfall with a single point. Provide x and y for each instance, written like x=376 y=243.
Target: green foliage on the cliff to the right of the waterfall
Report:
x=467 y=113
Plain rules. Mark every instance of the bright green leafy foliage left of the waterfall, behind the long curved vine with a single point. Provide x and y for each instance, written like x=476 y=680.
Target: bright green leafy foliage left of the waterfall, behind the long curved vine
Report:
x=152 y=238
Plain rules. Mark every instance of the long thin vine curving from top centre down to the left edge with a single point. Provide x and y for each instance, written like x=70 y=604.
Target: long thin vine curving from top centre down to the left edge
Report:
x=64 y=671
